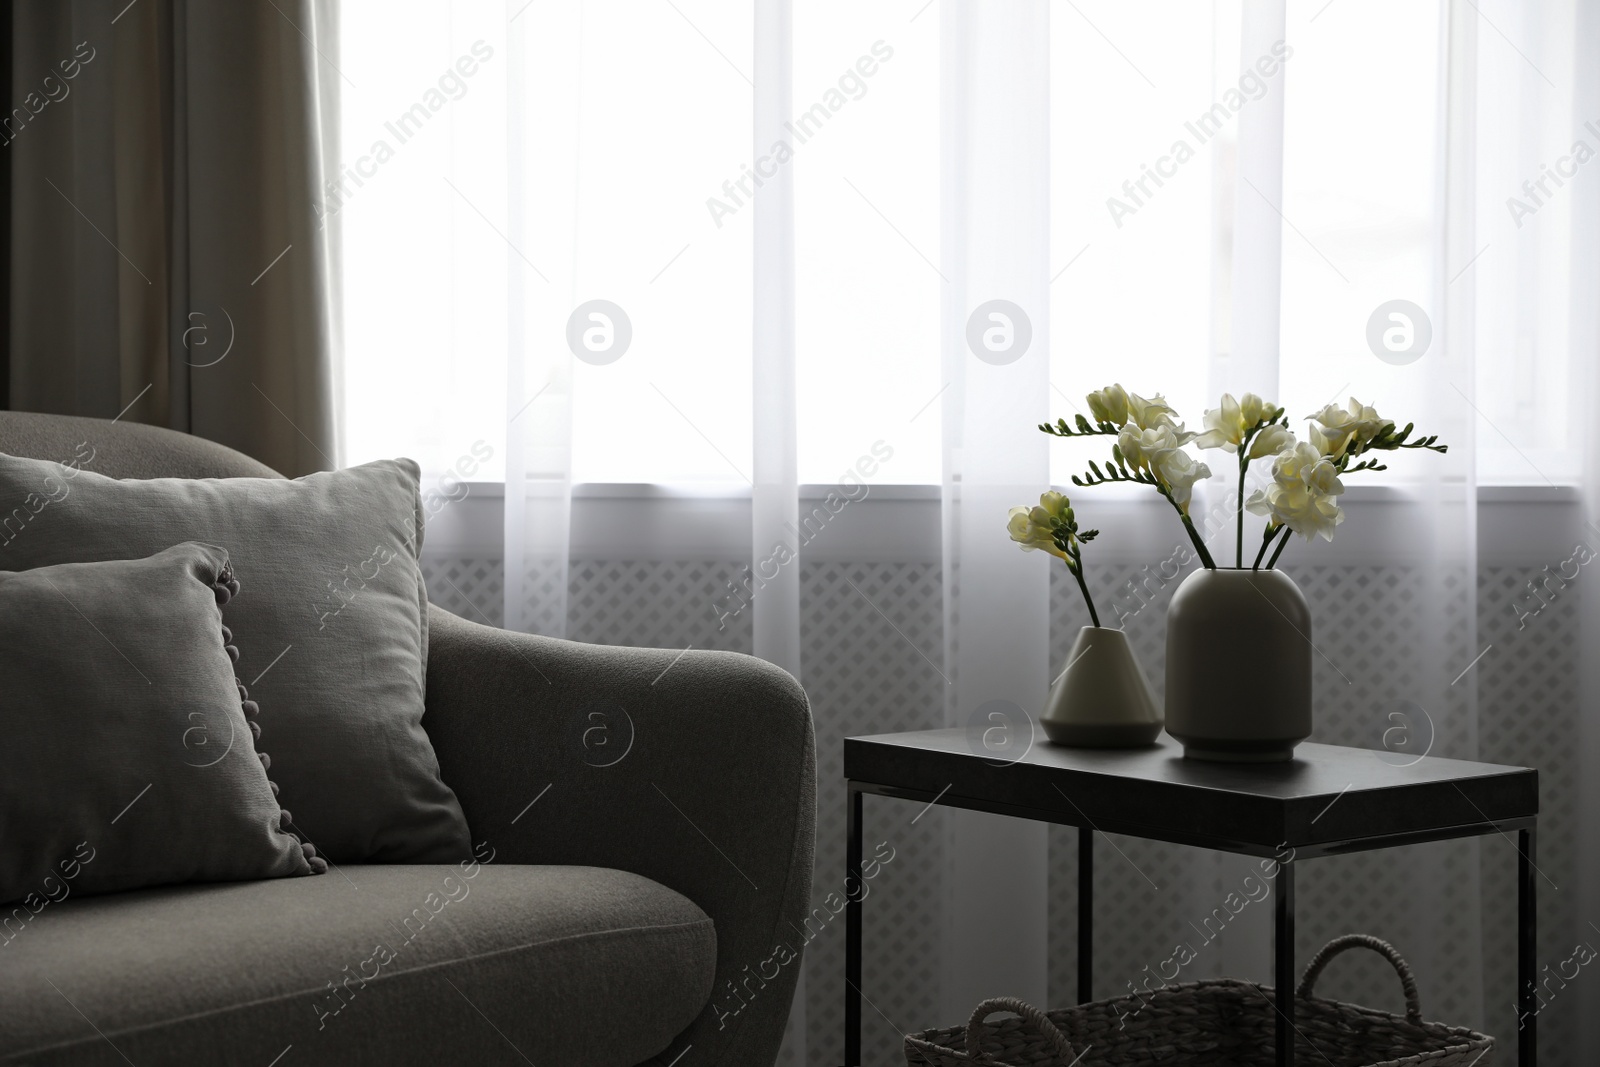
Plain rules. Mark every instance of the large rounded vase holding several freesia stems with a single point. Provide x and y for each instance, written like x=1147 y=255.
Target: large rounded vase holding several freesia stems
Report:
x=1239 y=657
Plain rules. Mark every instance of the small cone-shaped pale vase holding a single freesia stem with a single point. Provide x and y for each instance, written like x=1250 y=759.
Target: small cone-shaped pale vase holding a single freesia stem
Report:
x=1102 y=700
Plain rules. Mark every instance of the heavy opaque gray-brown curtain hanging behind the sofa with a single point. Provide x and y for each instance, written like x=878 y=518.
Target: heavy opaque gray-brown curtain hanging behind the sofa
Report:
x=169 y=258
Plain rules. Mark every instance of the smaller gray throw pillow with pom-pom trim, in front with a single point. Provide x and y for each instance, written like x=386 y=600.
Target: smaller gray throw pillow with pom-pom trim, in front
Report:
x=129 y=759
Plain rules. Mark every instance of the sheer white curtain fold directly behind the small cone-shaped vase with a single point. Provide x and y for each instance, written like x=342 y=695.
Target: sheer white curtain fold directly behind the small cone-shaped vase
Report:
x=996 y=351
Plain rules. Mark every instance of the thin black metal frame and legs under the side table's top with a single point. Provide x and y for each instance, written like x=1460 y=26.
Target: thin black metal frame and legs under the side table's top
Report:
x=1284 y=909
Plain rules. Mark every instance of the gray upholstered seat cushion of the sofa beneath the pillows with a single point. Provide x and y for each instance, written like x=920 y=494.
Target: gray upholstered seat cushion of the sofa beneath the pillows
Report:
x=462 y=964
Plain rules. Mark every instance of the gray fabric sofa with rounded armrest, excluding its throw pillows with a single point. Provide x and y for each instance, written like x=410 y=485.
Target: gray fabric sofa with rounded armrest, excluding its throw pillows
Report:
x=626 y=917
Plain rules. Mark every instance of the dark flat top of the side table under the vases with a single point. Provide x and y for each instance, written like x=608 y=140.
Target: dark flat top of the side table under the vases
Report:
x=1327 y=799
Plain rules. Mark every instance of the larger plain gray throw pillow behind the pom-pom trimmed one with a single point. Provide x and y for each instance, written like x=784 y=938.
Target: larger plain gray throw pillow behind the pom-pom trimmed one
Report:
x=334 y=634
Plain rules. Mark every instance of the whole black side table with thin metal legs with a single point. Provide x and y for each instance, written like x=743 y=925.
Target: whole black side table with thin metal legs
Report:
x=1327 y=802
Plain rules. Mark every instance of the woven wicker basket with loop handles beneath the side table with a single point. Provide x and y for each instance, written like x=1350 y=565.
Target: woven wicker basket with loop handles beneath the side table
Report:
x=1220 y=1023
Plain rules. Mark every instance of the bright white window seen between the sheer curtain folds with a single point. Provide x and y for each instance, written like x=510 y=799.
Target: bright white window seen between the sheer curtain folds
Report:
x=633 y=124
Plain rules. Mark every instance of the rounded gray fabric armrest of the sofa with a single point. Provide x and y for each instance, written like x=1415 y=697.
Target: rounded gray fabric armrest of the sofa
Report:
x=697 y=770
